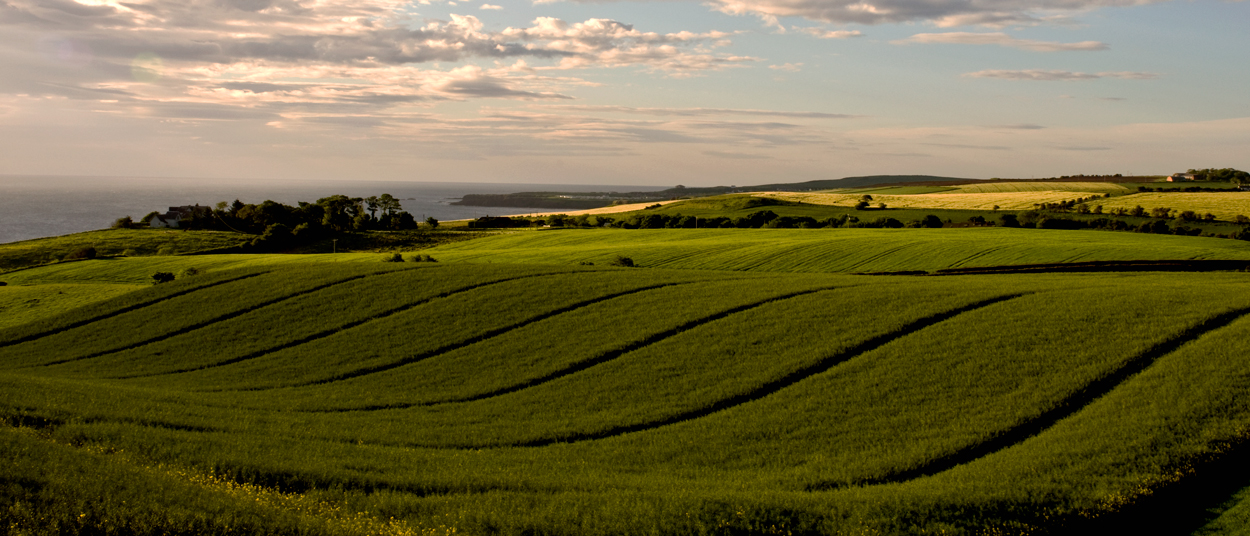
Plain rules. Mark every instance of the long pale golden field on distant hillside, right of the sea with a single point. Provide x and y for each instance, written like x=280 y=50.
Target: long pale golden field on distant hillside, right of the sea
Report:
x=1009 y=201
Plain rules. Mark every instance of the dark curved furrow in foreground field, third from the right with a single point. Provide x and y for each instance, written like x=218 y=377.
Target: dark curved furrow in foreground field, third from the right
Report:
x=586 y=364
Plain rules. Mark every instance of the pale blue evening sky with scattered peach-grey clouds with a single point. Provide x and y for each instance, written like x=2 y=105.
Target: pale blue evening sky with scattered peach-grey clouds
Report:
x=623 y=93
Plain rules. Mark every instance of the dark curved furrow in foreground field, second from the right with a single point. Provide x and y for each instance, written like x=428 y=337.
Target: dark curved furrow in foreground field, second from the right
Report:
x=751 y=397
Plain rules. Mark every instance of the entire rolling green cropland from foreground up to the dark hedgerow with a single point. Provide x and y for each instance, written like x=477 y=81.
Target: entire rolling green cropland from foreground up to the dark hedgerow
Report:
x=741 y=383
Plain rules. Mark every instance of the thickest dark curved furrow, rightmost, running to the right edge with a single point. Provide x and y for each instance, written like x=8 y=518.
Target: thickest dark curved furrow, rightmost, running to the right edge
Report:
x=1067 y=408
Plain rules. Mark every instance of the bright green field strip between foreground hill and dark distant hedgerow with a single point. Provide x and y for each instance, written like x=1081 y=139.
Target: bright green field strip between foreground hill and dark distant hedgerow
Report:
x=833 y=251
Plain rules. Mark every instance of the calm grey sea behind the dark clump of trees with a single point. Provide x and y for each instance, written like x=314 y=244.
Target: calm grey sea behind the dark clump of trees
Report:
x=38 y=207
